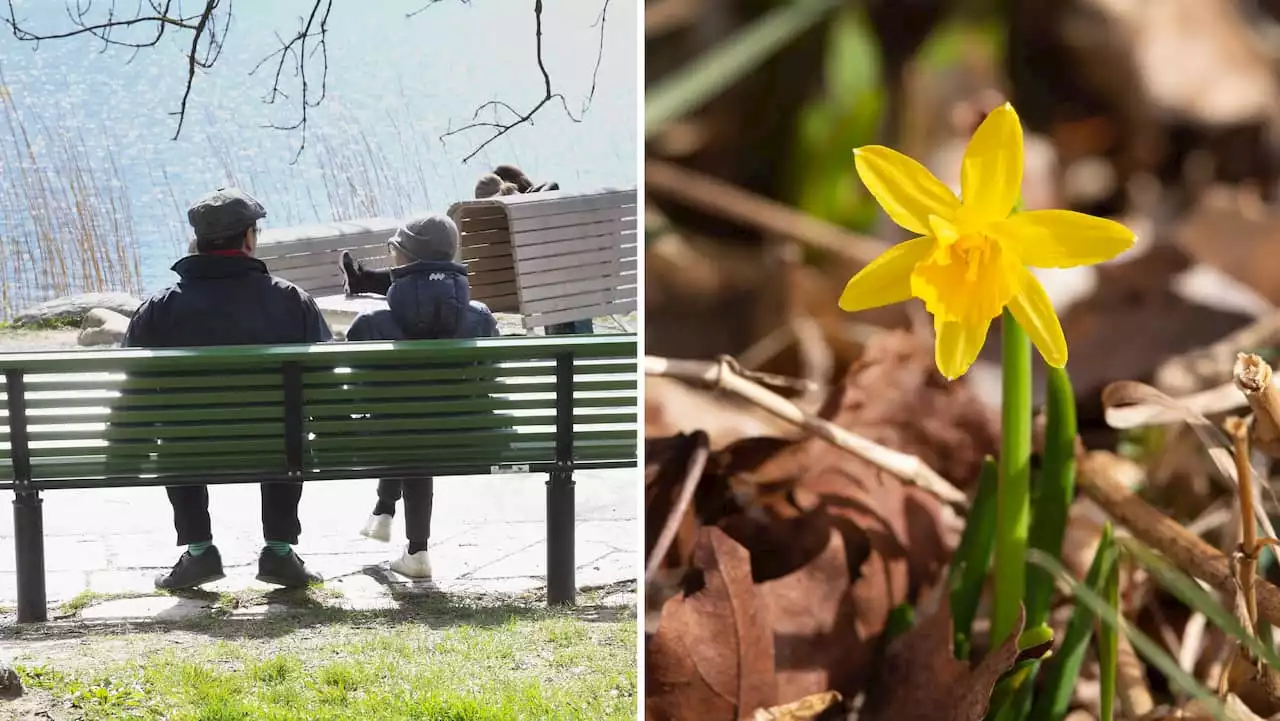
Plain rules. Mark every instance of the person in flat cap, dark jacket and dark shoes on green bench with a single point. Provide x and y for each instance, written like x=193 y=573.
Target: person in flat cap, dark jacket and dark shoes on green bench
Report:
x=226 y=298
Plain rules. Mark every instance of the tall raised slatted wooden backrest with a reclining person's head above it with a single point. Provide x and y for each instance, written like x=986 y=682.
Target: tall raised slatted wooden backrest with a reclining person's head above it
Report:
x=552 y=257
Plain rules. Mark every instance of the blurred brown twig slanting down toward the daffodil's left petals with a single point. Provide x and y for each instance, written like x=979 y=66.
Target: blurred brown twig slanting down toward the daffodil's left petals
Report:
x=726 y=200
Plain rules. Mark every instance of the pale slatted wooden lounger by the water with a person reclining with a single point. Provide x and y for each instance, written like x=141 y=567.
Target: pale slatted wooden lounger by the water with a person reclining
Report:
x=551 y=258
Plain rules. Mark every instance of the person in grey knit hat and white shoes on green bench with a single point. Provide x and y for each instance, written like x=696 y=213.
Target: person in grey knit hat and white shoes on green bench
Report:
x=429 y=298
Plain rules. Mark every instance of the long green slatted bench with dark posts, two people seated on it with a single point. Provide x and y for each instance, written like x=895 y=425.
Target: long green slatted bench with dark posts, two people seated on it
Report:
x=291 y=414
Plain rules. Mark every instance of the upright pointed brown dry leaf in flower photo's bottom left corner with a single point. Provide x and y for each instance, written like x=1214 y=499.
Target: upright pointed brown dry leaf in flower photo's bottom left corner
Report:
x=712 y=656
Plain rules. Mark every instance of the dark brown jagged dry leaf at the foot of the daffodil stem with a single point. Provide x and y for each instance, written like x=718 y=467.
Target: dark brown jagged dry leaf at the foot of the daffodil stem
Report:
x=921 y=679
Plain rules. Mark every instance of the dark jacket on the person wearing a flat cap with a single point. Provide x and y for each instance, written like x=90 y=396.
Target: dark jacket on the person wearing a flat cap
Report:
x=226 y=302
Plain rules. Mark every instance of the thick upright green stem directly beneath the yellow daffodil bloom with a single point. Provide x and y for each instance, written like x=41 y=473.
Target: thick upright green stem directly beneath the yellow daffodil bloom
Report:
x=1013 y=498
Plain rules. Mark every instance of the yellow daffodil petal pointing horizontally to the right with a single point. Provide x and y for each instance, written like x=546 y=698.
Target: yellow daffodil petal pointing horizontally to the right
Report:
x=1062 y=239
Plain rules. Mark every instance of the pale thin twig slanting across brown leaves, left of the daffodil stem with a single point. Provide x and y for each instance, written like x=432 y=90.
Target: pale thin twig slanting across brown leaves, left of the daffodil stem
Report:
x=724 y=375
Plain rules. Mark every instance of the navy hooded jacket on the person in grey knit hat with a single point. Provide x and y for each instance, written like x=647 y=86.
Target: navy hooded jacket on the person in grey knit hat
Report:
x=427 y=300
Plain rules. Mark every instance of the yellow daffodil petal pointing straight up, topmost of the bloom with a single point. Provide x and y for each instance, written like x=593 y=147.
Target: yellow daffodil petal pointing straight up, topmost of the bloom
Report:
x=991 y=176
